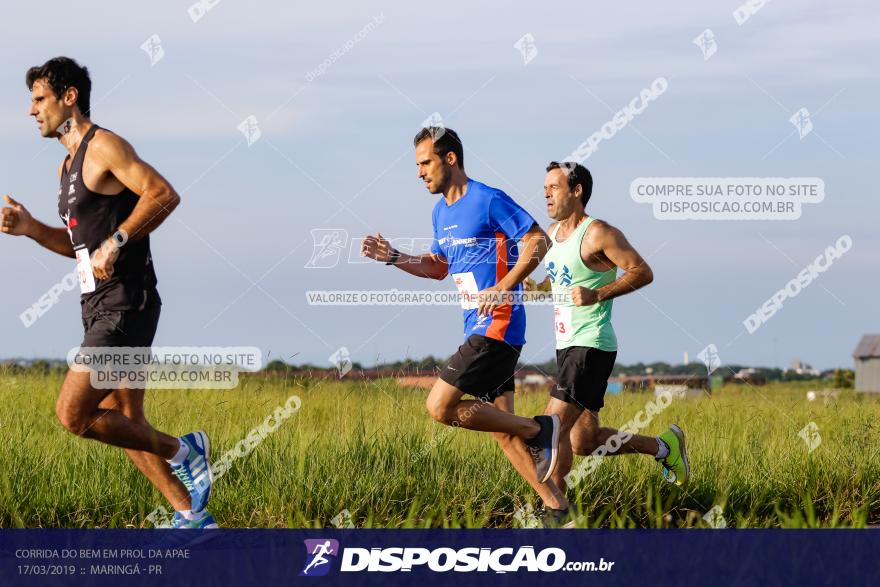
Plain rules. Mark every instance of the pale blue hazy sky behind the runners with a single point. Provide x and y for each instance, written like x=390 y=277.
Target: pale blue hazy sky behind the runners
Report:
x=335 y=152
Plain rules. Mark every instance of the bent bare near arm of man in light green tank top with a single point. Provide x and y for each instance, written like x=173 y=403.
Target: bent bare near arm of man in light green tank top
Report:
x=637 y=272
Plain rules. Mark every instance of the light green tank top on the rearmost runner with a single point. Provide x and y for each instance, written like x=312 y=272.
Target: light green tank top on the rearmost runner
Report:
x=588 y=326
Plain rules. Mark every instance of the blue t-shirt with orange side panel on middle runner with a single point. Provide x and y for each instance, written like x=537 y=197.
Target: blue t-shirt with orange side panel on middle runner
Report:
x=478 y=236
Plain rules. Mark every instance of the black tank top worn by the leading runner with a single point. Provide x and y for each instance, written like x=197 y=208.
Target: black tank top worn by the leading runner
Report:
x=91 y=218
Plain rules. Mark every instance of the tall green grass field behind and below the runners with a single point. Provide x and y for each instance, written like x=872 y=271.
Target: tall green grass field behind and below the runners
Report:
x=371 y=449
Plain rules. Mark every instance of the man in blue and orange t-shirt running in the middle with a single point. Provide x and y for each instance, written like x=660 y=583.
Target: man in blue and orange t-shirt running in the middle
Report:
x=476 y=234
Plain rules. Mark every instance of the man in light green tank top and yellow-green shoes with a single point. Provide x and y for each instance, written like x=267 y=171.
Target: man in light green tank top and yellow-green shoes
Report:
x=582 y=263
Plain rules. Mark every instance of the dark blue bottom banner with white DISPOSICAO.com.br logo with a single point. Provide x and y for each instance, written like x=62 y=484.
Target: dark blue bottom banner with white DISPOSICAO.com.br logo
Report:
x=363 y=557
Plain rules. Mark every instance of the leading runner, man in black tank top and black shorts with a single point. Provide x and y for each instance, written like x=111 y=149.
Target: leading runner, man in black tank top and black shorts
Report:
x=110 y=201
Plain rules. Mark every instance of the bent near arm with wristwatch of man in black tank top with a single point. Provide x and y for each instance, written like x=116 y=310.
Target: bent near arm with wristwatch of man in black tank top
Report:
x=157 y=198
